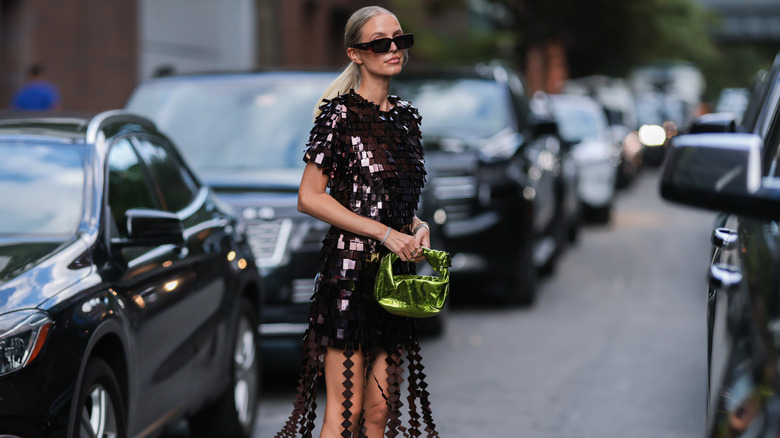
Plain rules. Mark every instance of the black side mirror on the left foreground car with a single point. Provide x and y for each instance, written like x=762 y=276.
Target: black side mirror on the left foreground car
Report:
x=151 y=228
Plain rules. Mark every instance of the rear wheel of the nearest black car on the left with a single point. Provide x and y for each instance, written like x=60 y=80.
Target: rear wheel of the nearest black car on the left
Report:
x=234 y=413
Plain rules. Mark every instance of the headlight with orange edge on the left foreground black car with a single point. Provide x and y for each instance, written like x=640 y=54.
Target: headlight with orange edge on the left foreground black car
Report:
x=22 y=335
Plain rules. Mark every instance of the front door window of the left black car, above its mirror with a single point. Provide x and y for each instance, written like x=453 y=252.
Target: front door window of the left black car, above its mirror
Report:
x=127 y=185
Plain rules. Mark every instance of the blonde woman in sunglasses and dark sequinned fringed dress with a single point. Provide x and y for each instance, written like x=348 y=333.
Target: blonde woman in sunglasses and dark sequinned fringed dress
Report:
x=365 y=146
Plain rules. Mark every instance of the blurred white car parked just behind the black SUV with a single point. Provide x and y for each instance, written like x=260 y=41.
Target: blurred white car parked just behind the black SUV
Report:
x=583 y=126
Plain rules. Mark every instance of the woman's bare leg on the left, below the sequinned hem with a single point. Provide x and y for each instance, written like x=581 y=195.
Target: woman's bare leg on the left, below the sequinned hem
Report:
x=344 y=382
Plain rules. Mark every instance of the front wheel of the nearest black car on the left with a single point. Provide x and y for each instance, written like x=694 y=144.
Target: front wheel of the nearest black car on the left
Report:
x=100 y=407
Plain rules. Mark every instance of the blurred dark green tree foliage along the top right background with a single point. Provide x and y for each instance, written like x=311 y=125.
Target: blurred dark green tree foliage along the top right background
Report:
x=601 y=36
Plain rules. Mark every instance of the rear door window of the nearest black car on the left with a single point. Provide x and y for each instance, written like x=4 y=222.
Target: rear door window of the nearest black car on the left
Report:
x=177 y=186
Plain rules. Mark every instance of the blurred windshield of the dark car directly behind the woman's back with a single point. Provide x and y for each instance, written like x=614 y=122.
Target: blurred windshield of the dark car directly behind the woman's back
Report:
x=235 y=124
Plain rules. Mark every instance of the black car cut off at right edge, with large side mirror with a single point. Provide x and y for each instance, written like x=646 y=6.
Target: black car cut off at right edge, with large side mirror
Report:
x=735 y=172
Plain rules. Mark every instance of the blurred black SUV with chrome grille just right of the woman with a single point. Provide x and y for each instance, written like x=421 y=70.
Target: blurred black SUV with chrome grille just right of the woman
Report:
x=496 y=186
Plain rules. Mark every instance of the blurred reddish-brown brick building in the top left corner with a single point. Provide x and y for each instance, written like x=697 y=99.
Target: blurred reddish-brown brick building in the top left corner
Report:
x=88 y=48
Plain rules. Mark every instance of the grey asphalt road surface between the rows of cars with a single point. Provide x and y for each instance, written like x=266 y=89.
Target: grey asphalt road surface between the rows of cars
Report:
x=614 y=346
